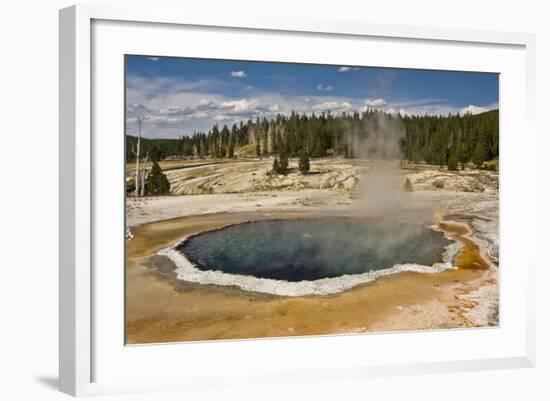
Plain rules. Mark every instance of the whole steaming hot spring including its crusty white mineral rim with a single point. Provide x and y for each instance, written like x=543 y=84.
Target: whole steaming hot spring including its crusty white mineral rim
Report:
x=308 y=256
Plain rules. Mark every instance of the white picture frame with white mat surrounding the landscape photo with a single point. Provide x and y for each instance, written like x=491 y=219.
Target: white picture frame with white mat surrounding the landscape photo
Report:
x=88 y=361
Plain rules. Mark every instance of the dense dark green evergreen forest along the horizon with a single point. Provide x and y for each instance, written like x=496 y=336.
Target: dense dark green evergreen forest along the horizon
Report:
x=451 y=140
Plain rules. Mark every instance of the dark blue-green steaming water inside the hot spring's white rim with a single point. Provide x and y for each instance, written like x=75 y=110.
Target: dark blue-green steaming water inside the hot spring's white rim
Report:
x=312 y=249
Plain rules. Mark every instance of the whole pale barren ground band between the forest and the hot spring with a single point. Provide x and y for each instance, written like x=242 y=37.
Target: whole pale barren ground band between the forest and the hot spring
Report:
x=211 y=187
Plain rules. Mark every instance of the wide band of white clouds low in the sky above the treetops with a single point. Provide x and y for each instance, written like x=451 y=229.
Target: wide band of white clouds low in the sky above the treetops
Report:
x=177 y=107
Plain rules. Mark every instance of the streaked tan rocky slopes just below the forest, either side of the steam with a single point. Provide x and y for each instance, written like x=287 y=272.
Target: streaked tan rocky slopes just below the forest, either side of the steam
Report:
x=254 y=176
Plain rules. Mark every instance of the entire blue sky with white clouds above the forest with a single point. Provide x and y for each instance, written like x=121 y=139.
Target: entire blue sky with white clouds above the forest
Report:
x=177 y=96
